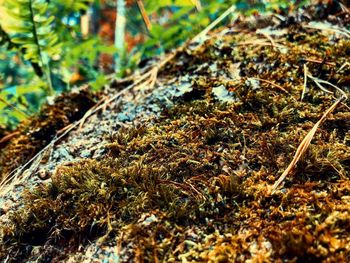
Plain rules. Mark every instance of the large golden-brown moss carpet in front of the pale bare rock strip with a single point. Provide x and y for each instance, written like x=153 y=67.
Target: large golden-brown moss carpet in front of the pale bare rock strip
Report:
x=193 y=184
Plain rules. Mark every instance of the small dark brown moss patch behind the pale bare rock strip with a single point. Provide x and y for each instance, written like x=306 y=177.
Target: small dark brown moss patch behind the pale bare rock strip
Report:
x=36 y=132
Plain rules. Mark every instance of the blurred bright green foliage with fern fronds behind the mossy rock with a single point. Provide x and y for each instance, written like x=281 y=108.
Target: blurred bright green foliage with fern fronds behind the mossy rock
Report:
x=42 y=50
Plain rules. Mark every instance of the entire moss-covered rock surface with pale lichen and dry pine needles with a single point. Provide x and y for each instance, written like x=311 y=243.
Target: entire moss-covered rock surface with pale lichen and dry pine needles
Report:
x=178 y=163
